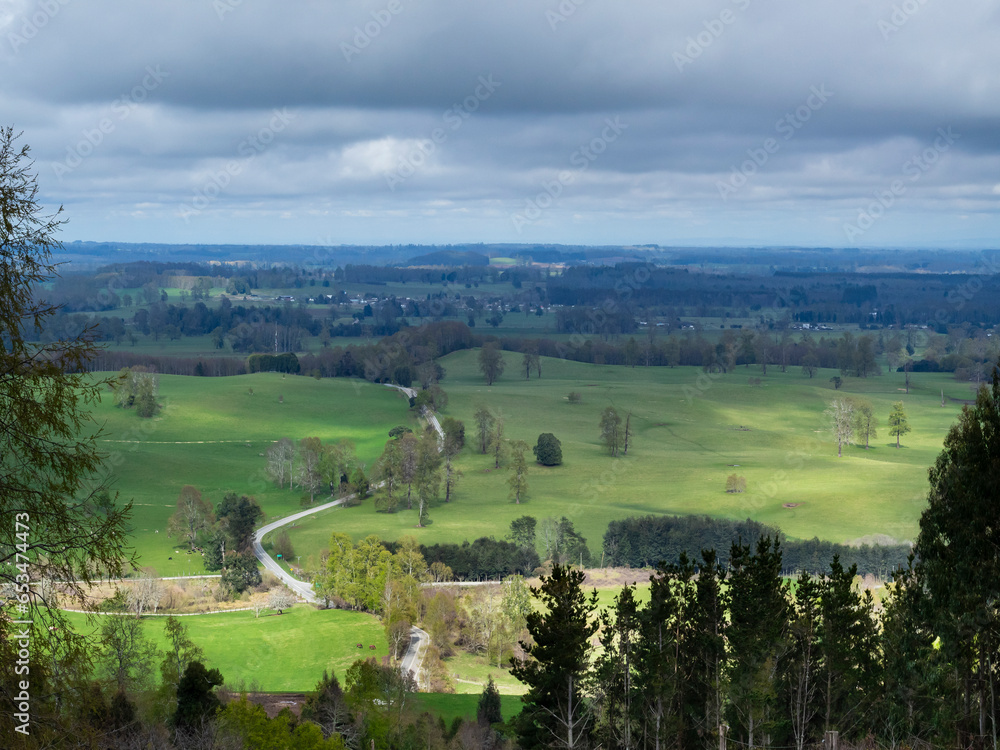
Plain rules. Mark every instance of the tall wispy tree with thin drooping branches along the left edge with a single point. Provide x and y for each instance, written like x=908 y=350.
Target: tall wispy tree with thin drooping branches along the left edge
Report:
x=55 y=507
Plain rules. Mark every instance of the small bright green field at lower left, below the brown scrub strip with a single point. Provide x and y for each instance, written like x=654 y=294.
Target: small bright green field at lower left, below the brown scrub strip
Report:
x=275 y=653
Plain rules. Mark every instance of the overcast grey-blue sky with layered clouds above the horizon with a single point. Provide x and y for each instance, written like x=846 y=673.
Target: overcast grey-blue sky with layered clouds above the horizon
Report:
x=731 y=122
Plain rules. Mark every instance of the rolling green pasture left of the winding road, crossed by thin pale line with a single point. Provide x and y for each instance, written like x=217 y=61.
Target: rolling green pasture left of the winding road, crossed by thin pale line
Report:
x=212 y=434
